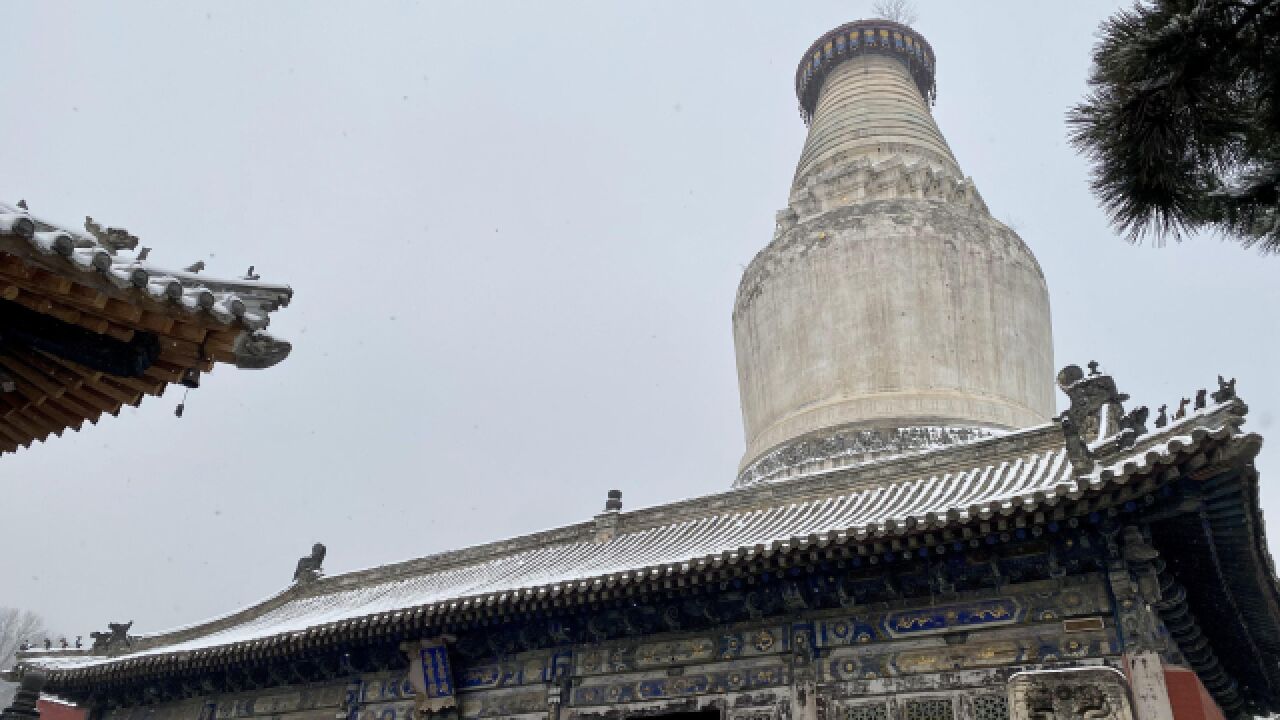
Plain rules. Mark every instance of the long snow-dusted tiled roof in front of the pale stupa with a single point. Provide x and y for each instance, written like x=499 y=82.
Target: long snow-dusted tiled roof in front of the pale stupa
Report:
x=1025 y=476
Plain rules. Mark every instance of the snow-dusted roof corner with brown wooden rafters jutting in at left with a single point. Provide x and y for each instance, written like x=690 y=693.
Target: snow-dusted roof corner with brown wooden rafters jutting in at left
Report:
x=90 y=326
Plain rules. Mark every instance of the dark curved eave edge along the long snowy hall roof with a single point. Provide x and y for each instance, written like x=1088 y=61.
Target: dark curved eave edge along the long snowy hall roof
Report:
x=1131 y=477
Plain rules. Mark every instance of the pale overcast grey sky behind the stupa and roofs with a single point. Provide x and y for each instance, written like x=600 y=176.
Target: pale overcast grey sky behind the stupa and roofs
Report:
x=515 y=233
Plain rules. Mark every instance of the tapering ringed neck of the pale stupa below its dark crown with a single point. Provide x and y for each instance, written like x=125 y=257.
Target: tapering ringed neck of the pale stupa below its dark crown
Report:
x=870 y=110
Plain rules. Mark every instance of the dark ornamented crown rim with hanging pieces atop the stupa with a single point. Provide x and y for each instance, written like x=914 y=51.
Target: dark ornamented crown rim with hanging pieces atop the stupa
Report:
x=863 y=38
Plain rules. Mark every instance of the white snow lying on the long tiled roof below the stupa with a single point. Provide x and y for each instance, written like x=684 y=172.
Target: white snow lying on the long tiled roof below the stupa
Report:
x=1039 y=479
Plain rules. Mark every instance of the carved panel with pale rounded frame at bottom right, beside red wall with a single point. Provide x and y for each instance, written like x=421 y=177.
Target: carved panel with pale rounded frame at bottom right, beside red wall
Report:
x=1094 y=694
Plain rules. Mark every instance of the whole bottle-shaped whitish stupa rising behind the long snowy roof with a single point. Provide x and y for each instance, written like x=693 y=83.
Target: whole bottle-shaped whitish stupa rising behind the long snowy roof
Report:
x=892 y=312
